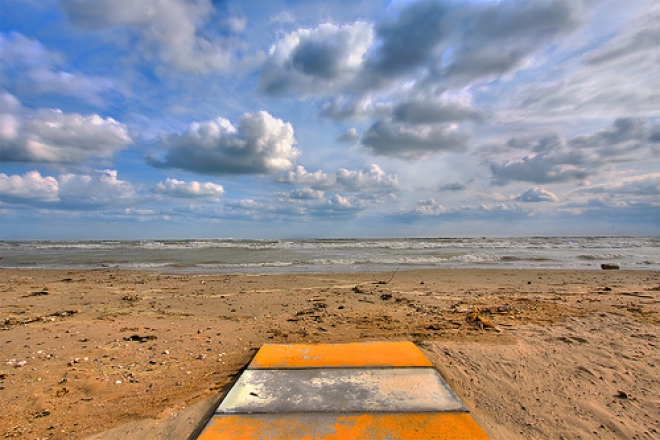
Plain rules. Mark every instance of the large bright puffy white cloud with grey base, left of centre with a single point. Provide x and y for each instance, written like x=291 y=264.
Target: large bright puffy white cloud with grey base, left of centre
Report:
x=259 y=144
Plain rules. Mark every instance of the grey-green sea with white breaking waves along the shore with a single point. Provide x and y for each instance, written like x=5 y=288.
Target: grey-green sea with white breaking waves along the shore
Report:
x=280 y=256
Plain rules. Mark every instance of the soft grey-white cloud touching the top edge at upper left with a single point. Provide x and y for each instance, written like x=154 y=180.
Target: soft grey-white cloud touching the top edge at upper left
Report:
x=172 y=29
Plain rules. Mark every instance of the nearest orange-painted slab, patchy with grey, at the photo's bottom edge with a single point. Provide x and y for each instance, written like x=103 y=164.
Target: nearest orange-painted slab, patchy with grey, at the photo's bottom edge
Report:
x=307 y=426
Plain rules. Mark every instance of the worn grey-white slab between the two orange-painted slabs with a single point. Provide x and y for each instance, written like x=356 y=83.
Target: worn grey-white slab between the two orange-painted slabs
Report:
x=341 y=390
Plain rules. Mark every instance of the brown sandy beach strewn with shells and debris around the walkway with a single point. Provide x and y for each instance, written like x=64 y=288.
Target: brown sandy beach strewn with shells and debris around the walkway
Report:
x=534 y=354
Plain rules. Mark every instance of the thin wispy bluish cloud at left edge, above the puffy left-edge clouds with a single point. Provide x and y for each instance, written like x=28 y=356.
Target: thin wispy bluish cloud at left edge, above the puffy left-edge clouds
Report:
x=30 y=66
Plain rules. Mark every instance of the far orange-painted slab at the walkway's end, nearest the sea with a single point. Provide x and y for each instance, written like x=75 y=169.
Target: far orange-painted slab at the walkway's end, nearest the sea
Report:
x=351 y=355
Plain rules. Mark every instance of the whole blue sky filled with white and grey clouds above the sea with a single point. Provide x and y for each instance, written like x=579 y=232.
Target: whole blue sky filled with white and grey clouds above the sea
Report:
x=172 y=119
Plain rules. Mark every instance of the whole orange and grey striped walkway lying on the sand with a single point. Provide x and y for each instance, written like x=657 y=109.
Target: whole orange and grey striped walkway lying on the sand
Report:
x=370 y=390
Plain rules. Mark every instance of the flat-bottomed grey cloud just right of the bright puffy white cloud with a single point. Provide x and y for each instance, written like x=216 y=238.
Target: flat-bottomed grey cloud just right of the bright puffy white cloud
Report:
x=387 y=138
